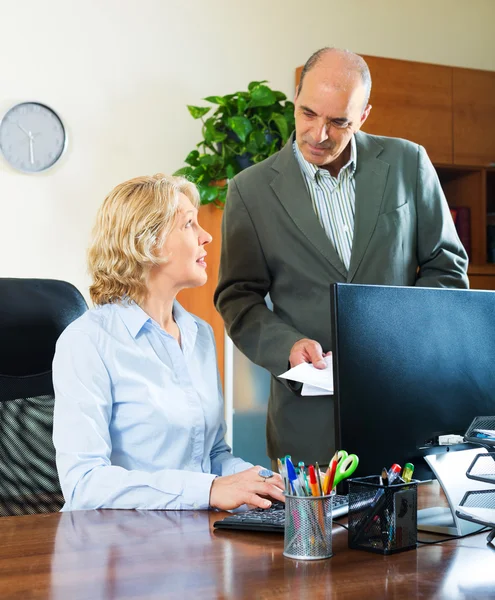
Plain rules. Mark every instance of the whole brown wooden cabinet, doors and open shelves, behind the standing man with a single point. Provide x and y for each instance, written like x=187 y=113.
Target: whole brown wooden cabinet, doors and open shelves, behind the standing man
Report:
x=451 y=112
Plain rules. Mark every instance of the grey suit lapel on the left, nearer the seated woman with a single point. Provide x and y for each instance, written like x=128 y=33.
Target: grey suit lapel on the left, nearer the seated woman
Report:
x=290 y=188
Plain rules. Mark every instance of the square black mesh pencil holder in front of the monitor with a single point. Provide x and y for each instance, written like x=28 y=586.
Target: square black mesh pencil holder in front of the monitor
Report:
x=382 y=519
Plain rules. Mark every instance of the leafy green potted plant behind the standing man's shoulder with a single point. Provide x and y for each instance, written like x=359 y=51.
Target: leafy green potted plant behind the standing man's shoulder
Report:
x=244 y=129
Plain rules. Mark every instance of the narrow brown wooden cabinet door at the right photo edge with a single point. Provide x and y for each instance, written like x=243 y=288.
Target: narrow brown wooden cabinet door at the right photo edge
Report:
x=474 y=117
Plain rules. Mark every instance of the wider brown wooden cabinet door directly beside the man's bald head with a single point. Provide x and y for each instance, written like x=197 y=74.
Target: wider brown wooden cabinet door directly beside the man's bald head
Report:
x=412 y=100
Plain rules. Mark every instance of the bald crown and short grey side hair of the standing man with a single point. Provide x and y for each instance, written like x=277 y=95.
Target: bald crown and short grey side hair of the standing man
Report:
x=340 y=69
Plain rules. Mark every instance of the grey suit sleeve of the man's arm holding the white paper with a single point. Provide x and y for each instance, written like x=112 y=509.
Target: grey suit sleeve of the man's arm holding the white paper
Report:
x=244 y=282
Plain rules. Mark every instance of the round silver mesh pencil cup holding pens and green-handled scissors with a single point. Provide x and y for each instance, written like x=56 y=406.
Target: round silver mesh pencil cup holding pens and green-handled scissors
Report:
x=308 y=527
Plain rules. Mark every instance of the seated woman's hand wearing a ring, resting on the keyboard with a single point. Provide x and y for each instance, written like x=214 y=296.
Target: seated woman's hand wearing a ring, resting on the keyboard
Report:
x=247 y=487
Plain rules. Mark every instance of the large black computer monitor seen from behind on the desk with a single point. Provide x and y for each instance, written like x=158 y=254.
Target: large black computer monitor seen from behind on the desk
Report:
x=410 y=364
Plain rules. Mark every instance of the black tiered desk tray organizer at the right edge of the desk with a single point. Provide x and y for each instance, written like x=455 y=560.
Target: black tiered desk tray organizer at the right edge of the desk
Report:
x=481 y=469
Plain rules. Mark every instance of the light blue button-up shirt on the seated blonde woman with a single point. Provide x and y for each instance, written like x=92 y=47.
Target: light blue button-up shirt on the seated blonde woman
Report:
x=138 y=420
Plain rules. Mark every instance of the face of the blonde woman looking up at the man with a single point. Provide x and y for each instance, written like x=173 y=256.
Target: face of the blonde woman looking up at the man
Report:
x=184 y=249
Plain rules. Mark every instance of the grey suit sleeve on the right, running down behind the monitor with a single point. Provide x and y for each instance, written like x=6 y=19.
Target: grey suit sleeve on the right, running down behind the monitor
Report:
x=441 y=257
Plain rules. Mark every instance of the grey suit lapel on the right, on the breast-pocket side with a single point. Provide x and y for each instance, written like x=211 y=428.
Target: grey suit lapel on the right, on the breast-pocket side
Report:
x=371 y=178
